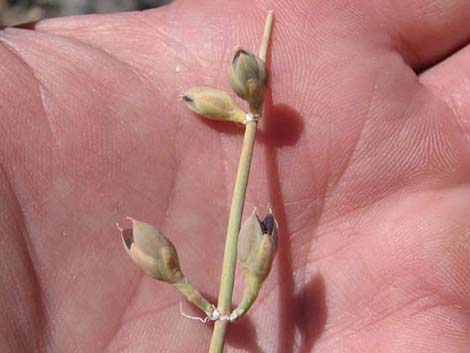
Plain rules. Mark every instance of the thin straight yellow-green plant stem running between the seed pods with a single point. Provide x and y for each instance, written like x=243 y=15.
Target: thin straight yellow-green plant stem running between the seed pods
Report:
x=236 y=211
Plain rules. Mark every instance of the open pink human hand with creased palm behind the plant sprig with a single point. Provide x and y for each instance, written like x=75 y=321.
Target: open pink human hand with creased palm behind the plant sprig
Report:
x=363 y=153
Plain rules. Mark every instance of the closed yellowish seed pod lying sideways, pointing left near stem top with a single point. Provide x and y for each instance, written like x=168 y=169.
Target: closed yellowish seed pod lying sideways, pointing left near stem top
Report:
x=213 y=104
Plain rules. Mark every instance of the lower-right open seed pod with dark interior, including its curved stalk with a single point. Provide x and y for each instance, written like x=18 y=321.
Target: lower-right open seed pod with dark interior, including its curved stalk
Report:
x=257 y=247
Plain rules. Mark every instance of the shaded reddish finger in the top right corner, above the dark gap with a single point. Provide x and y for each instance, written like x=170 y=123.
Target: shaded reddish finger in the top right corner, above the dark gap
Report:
x=425 y=31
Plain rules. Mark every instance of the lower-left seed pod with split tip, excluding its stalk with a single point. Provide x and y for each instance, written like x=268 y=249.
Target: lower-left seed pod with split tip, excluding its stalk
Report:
x=152 y=252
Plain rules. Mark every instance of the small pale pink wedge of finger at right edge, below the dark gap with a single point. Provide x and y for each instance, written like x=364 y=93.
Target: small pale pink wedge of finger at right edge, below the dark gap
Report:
x=450 y=80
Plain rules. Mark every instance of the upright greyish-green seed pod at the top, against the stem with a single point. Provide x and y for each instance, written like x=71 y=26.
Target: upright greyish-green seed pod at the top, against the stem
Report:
x=248 y=77
